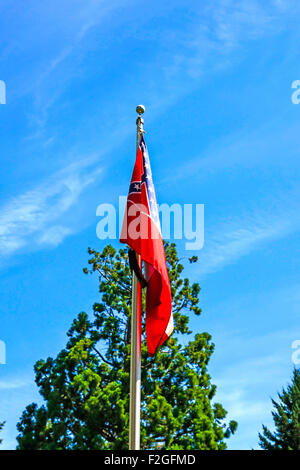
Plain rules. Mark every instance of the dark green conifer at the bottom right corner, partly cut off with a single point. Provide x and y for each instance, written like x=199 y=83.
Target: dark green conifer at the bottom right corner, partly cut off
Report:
x=286 y=419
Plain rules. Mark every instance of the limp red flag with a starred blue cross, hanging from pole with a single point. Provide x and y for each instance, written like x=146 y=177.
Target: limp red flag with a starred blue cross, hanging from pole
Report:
x=141 y=231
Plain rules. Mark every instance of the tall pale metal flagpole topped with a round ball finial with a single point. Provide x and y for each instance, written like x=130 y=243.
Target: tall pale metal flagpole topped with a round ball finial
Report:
x=135 y=353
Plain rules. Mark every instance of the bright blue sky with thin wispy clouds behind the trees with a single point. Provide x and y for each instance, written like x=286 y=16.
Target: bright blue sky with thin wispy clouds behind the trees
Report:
x=216 y=79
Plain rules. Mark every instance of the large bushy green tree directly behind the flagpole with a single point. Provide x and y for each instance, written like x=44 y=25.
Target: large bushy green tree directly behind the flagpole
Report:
x=86 y=387
